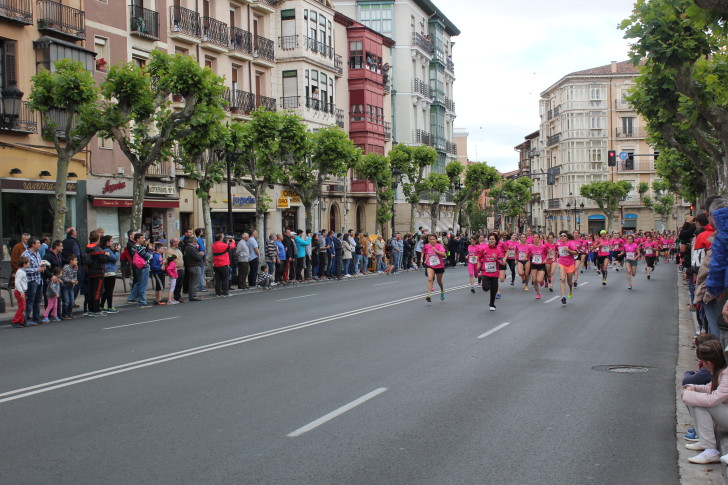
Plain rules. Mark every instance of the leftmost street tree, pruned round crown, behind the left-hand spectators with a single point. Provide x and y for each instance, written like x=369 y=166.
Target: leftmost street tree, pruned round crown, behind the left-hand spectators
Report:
x=72 y=89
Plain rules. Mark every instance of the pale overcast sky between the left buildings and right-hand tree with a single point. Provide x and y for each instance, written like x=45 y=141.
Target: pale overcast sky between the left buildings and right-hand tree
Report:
x=509 y=52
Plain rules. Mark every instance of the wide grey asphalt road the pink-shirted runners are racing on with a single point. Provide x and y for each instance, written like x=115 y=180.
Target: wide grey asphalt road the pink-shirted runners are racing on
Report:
x=358 y=382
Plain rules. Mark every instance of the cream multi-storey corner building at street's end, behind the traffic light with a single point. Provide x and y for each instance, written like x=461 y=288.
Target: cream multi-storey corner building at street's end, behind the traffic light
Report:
x=583 y=116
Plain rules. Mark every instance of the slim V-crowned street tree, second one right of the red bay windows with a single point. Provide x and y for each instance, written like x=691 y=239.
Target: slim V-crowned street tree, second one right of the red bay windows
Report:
x=411 y=162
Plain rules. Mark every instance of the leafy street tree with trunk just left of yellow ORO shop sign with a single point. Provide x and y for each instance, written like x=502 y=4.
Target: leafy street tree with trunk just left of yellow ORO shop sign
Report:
x=260 y=149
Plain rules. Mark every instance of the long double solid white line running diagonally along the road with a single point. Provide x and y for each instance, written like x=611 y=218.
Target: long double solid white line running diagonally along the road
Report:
x=98 y=374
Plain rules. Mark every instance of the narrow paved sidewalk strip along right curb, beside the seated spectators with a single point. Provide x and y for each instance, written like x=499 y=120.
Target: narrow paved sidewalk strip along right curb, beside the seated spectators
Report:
x=690 y=474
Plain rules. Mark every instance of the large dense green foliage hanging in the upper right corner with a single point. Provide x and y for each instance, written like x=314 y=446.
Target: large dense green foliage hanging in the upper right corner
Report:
x=682 y=90
